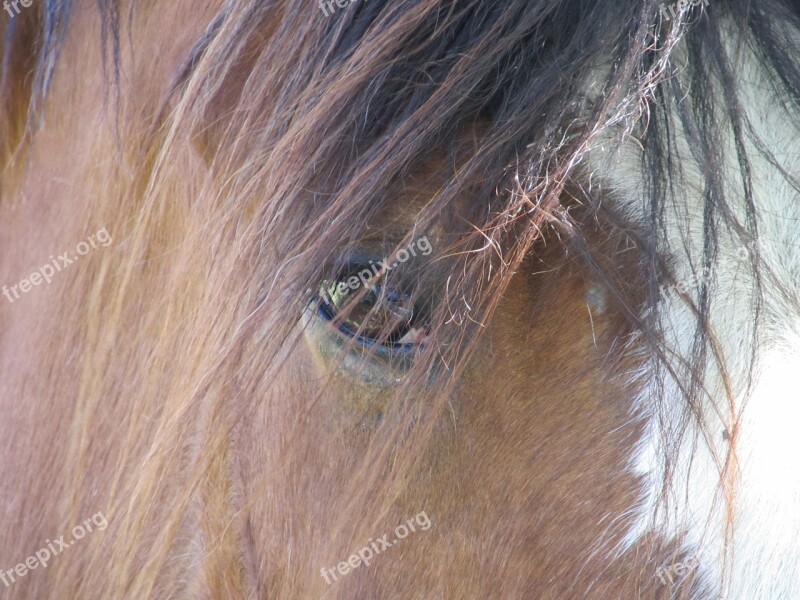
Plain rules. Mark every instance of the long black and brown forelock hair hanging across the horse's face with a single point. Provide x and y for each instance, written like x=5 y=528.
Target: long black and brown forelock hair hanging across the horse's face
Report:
x=304 y=149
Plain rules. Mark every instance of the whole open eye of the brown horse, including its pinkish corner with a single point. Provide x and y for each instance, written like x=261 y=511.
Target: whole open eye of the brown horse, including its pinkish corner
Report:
x=375 y=315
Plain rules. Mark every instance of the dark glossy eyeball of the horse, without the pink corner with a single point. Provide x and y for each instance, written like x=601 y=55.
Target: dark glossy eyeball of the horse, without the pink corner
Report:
x=379 y=311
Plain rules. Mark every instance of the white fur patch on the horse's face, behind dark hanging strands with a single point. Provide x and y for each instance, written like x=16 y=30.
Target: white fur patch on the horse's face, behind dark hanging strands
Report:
x=763 y=560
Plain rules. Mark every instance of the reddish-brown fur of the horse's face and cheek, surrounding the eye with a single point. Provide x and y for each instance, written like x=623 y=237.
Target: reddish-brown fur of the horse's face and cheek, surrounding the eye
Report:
x=136 y=384
